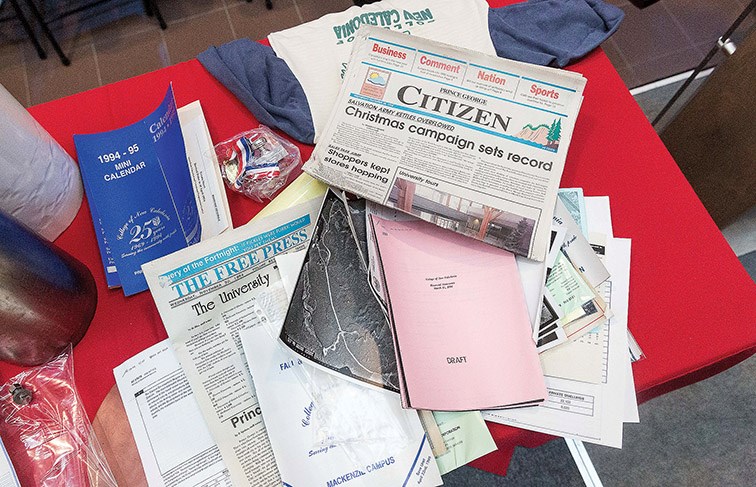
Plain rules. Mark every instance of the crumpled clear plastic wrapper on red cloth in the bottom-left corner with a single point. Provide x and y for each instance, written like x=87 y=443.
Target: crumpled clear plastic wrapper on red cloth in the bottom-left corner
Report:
x=46 y=430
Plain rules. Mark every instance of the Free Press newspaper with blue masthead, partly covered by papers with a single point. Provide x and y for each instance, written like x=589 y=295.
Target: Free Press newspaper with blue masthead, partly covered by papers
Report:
x=207 y=293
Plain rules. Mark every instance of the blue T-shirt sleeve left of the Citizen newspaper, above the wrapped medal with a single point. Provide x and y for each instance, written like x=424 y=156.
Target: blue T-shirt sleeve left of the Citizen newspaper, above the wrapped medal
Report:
x=264 y=83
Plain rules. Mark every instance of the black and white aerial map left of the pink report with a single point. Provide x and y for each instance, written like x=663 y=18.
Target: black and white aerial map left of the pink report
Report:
x=334 y=319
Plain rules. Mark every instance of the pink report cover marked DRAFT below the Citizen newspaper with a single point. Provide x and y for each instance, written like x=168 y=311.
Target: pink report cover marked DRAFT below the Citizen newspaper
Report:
x=461 y=328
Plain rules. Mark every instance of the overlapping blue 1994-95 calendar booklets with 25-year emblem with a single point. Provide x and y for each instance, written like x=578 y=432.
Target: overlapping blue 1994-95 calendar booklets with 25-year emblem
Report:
x=140 y=193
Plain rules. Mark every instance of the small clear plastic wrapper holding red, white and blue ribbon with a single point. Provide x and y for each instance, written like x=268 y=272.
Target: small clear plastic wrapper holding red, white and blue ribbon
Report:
x=257 y=162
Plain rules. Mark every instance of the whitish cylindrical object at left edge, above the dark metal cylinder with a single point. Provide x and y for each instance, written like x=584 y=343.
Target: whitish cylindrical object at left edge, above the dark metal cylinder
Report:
x=41 y=185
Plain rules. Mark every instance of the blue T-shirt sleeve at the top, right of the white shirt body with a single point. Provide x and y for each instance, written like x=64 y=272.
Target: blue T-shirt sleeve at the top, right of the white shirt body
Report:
x=552 y=32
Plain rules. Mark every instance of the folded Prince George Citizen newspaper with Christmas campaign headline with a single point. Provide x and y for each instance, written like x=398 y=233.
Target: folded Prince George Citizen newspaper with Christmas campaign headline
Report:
x=470 y=142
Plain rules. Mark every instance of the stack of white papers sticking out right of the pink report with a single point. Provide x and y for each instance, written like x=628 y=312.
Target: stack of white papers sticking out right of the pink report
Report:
x=588 y=376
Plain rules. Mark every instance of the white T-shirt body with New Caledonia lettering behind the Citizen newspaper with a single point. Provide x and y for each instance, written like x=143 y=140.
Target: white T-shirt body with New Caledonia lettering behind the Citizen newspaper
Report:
x=318 y=52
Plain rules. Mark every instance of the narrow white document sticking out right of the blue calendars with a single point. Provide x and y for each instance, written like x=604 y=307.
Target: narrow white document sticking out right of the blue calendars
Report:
x=209 y=191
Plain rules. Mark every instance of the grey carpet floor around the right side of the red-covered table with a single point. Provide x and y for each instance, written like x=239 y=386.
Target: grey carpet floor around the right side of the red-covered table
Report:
x=701 y=435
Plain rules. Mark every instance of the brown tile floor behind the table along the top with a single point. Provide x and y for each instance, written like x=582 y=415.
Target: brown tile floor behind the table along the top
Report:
x=666 y=38
